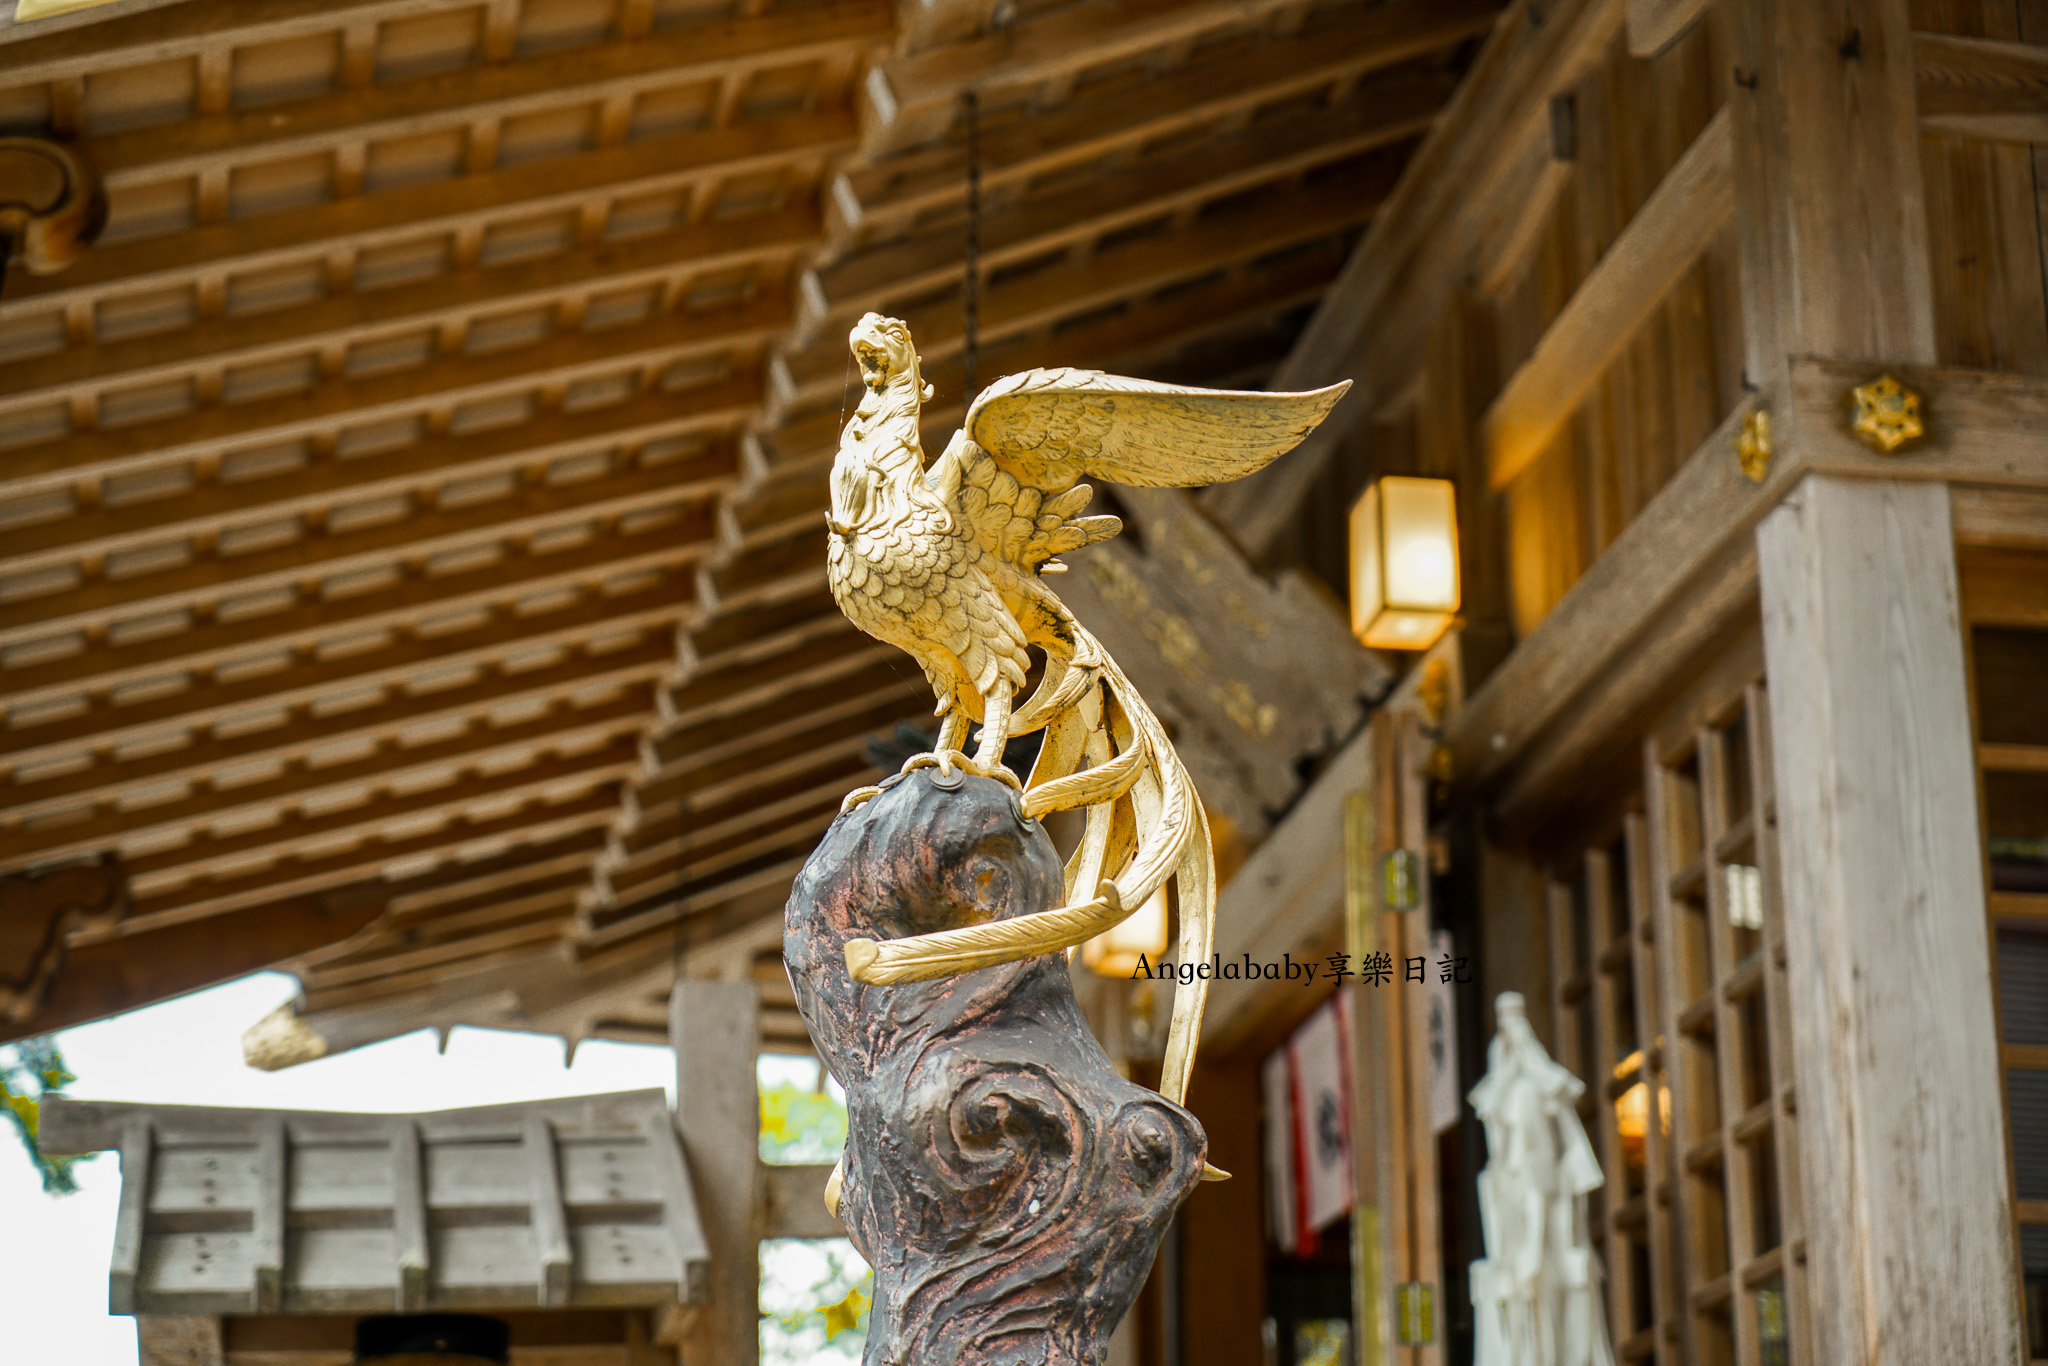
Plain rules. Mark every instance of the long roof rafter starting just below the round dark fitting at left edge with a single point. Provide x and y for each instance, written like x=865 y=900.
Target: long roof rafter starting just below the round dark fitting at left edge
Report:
x=669 y=163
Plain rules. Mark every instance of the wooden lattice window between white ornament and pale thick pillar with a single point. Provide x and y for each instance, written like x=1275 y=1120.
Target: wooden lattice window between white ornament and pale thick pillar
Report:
x=1666 y=927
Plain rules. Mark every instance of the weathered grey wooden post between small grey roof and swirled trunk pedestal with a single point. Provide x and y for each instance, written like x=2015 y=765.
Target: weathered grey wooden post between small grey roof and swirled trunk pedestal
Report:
x=716 y=1033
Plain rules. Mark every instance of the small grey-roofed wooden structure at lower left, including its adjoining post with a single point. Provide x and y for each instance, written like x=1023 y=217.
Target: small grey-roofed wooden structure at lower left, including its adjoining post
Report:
x=271 y=1232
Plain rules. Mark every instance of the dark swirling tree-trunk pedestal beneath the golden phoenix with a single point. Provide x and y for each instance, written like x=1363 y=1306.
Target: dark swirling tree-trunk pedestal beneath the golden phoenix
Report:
x=1007 y=1185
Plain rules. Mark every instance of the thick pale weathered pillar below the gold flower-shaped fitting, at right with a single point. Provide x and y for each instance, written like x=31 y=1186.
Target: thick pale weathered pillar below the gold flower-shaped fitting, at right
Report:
x=1908 y=1197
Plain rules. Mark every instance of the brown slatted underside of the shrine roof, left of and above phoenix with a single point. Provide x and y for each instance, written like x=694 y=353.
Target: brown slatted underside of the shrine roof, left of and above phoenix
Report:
x=411 y=556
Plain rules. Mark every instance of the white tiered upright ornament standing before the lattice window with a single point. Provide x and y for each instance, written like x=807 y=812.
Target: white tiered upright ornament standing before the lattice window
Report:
x=1537 y=1295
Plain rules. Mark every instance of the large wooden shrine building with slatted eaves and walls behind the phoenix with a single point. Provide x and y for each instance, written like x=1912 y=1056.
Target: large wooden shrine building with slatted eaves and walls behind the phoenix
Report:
x=413 y=577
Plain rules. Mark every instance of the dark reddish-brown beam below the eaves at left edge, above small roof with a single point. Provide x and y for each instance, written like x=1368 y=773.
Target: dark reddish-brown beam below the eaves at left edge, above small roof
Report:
x=153 y=966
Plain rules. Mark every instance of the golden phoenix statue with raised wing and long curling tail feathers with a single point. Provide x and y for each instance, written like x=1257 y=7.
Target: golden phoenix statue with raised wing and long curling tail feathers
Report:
x=945 y=562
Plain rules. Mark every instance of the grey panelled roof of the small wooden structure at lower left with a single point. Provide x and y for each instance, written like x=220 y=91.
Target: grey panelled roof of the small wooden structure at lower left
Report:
x=267 y=1211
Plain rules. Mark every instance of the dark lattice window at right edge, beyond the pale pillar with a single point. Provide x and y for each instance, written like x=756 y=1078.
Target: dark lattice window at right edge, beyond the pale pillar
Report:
x=2006 y=605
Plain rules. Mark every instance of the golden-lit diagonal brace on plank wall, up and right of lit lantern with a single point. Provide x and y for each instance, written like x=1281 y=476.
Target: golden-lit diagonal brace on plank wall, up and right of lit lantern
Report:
x=1619 y=296
